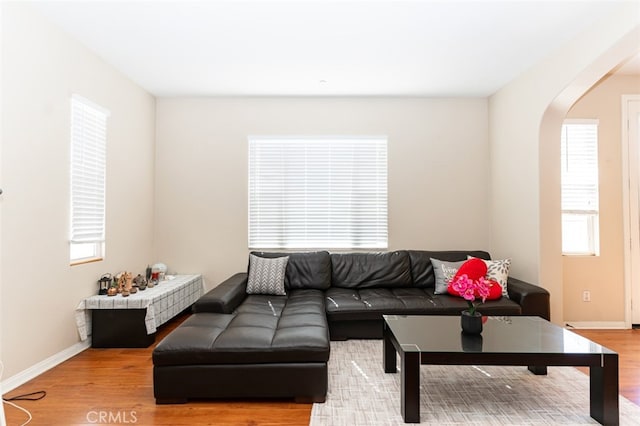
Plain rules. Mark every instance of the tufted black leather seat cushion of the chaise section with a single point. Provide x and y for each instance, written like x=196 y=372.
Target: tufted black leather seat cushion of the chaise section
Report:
x=264 y=329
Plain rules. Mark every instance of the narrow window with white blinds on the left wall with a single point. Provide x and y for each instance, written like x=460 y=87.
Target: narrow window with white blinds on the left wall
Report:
x=88 y=167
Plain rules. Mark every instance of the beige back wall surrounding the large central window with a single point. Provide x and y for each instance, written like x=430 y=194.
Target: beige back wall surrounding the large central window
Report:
x=438 y=170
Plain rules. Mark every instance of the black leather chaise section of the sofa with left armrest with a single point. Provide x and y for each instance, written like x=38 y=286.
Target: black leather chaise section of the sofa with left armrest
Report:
x=264 y=347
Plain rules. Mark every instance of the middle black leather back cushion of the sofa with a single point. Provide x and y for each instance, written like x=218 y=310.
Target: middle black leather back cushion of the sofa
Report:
x=371 y=270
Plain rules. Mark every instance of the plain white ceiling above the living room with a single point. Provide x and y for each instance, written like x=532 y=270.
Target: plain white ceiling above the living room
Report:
x=326 y=48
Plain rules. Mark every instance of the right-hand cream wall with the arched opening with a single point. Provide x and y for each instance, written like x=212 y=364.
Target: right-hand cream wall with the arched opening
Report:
x=524 y=132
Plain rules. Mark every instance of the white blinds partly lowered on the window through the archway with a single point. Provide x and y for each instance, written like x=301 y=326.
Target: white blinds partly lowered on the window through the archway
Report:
x=579 y=156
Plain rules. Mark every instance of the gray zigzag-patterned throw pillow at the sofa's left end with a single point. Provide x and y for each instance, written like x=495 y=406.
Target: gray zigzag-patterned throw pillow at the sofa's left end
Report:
x=266 y=276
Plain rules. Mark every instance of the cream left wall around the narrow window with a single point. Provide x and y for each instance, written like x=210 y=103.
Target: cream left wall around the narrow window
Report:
x=41 y=68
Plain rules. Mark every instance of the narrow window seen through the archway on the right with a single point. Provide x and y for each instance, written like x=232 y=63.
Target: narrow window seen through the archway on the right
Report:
x=580 y=205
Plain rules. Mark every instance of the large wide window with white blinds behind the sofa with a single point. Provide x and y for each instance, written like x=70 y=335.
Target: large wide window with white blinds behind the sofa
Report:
x=318 y=192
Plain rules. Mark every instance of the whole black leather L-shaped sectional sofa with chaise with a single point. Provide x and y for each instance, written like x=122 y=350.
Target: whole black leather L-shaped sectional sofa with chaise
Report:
x=253 y=346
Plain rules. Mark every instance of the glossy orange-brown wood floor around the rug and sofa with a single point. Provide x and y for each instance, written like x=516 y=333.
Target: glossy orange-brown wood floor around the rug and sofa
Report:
x=117 y=384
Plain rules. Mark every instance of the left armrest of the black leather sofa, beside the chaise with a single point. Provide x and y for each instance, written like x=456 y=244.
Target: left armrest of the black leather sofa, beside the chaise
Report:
x=224 y=298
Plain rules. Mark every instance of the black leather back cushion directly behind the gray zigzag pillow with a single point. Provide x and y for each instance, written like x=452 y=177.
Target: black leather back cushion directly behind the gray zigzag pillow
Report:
x=305 y=269
